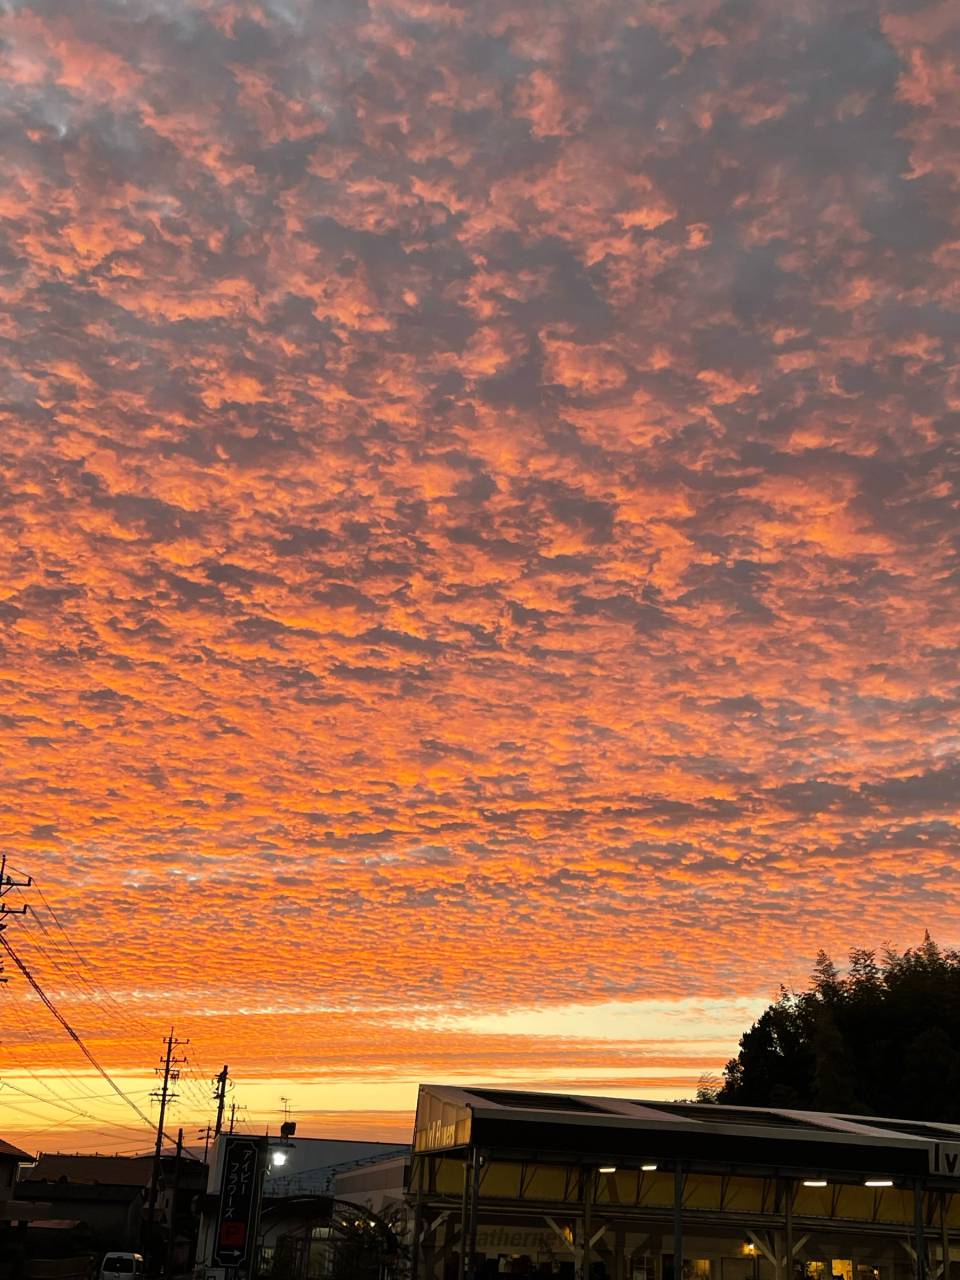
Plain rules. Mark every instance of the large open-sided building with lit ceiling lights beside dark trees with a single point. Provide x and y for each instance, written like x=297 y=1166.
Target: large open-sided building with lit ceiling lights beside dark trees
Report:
x=593 y=1187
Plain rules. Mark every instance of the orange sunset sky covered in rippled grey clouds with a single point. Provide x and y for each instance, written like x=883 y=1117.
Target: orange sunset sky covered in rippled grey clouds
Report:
x=479 y=537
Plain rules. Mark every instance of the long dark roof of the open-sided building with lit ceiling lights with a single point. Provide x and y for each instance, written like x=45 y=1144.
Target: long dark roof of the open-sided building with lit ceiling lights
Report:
x=587 y=1127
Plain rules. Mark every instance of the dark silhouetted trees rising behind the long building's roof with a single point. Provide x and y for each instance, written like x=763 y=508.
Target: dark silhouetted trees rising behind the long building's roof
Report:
x=883 y=1040
